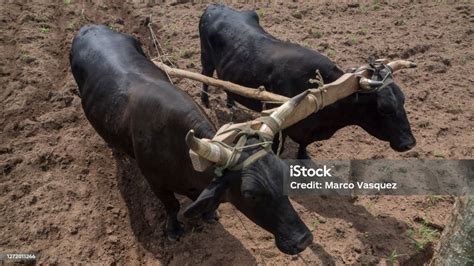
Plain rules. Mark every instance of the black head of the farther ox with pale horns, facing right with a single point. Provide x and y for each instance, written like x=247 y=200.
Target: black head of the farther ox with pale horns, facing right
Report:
x=386 y=118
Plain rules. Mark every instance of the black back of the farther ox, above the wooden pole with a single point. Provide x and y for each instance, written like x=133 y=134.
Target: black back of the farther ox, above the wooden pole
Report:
x=238 y=48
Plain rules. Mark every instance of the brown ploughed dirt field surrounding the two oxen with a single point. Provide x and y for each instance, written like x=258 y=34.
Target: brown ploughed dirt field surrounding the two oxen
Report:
x=65 y=194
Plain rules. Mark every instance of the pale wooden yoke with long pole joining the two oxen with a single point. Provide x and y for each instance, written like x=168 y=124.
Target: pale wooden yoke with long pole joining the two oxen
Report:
x=206 y=152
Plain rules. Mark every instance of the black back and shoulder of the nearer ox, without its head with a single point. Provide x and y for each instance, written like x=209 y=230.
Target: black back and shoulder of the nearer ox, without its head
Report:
x=133 y=107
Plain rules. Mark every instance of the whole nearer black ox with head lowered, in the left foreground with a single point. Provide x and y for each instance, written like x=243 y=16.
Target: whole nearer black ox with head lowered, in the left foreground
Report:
x=134 y=107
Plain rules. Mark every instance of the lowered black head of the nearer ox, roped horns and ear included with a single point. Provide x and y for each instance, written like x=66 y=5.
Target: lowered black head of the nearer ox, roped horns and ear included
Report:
x=251 y=178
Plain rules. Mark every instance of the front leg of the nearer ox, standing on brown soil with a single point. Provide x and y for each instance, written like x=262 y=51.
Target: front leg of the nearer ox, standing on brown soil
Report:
x=174 y=229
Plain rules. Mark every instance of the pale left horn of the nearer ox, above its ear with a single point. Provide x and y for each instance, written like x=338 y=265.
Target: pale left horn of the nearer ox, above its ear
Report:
x=207 y=150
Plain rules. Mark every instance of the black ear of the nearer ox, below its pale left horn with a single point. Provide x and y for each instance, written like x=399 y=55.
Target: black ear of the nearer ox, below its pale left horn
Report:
x=209 y=199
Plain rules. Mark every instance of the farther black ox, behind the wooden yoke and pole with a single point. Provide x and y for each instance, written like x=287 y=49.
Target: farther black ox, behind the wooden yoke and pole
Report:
x=235 y=46
